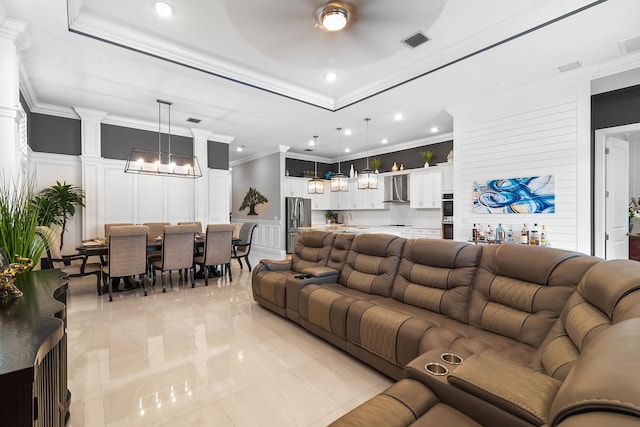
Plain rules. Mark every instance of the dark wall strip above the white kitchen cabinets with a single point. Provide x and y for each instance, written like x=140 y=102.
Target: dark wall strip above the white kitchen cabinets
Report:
x=410 y=158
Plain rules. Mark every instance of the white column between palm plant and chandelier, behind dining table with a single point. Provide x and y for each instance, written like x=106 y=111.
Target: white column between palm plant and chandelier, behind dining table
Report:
x=92 y=172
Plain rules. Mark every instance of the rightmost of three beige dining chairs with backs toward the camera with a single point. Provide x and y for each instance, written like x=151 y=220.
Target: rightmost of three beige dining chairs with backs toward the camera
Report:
x=217 y=249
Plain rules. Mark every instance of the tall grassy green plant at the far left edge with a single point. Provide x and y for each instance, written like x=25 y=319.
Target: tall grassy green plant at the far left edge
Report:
x=19 y=213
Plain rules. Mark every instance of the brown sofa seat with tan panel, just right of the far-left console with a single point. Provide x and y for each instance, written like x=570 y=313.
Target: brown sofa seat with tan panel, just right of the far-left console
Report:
x=326 y=305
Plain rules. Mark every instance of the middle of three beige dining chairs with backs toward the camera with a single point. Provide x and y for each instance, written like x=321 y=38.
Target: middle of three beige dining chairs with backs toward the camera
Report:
x=177 y=252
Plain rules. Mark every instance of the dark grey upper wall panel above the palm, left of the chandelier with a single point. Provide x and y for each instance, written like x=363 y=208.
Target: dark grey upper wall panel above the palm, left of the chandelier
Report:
x=51 y=134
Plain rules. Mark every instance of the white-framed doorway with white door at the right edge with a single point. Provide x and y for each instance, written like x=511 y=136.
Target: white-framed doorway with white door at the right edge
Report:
x=615 y=182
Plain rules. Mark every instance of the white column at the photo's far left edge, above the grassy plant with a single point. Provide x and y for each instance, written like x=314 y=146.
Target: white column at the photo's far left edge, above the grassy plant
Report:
x=14 y=37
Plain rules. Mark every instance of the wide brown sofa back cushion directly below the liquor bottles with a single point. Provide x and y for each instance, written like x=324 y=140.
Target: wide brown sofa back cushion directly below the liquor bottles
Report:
x=519 y=290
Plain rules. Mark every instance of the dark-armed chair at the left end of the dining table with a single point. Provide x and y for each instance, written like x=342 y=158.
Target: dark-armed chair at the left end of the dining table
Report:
x=65 y=262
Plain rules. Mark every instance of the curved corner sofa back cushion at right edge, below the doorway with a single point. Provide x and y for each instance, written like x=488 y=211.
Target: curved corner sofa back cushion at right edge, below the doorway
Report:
x=608 y=293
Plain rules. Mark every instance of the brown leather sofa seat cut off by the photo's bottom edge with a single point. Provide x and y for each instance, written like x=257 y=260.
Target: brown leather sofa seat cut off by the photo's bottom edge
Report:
x=406 y=403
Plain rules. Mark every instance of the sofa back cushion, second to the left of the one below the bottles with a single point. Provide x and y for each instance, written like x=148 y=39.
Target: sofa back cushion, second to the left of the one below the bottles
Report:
x=372 y=263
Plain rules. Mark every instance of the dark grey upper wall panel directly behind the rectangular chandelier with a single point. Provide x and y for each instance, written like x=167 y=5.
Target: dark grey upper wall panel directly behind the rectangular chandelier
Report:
x=117 y=142
